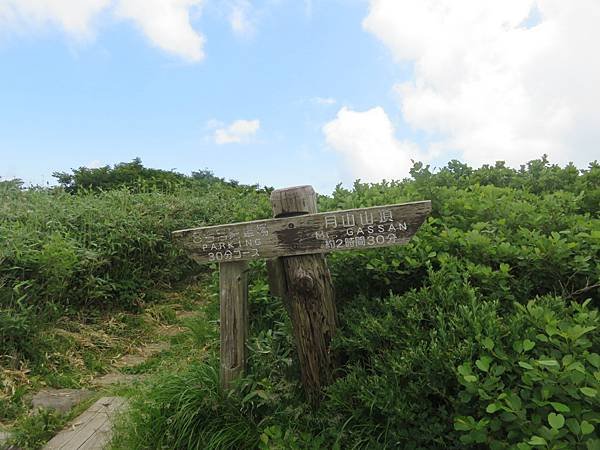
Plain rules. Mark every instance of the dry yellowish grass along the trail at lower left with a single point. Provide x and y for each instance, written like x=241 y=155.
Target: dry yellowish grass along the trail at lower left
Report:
x=82 y=348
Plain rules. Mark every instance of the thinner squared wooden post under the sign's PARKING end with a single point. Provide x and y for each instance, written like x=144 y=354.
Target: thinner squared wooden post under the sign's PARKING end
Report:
x=233 y=282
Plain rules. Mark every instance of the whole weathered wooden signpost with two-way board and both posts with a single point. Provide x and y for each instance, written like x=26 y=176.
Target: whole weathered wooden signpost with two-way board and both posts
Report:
x=294 y=242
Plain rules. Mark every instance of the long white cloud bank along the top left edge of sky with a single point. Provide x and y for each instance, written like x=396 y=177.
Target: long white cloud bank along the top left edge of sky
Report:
x=165 y=23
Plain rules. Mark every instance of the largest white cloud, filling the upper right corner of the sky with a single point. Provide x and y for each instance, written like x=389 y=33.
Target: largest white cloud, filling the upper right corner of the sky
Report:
x=491 y=82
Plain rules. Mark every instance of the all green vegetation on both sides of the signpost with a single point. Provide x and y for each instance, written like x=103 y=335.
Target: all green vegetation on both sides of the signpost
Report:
x=482 y=332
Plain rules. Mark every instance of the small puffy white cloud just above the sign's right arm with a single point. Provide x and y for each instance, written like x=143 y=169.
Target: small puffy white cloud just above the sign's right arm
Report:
x=368 y=146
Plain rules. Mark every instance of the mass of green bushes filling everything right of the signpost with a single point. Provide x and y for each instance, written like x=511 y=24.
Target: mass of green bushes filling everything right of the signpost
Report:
x=477 y=334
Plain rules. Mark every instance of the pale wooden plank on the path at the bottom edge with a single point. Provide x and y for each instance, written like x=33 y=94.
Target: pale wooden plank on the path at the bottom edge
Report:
x=92 y=430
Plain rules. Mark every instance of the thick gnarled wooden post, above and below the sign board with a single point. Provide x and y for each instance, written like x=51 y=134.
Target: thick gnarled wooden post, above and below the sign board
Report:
x=309 y=298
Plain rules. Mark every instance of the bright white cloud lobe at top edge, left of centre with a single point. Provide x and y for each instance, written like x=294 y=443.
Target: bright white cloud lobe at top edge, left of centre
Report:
x=166 y=23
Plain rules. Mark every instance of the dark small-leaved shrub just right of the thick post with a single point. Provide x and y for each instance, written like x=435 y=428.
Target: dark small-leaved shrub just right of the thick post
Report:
x=398 y=388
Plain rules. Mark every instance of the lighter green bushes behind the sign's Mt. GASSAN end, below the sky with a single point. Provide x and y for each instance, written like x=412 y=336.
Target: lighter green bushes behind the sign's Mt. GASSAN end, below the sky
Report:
x=513 y=243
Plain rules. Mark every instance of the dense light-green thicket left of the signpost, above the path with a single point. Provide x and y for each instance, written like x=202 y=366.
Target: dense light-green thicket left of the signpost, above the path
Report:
x=99 y=250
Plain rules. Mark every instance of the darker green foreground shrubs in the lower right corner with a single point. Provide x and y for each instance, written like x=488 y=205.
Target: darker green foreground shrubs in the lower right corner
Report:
x=443 y=354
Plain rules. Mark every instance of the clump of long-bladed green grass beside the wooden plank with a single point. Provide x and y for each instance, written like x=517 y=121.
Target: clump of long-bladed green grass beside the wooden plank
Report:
x=187 y=411
